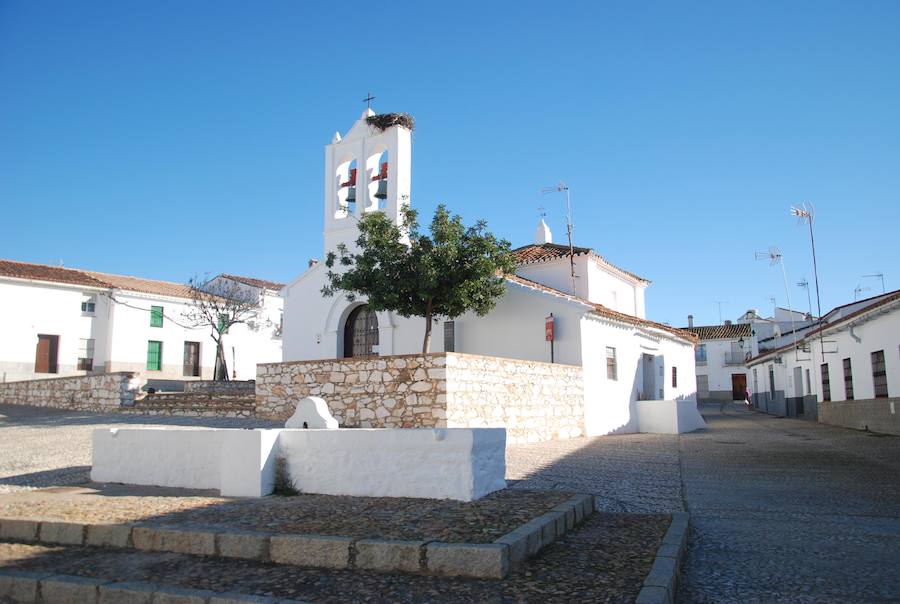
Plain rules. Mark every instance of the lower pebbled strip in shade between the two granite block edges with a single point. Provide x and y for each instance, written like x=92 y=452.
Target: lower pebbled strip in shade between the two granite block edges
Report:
x=605 y=560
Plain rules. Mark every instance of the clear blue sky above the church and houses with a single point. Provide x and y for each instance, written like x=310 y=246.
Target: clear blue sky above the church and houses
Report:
x=167 y=139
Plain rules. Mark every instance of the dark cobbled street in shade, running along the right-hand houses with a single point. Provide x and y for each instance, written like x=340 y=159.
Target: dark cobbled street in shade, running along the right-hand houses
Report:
x=786 y=510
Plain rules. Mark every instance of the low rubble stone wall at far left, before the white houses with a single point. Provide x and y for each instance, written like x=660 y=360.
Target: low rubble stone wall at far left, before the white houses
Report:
x=102 y=392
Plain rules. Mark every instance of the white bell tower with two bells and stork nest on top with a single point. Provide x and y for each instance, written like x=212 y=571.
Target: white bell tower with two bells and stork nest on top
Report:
x=366 y=170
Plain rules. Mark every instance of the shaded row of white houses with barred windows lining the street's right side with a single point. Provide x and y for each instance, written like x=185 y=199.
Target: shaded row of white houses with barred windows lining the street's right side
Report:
x=845 y=370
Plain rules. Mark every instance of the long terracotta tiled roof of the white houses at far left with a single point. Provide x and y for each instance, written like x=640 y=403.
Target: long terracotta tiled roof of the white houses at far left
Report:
x=72 y=276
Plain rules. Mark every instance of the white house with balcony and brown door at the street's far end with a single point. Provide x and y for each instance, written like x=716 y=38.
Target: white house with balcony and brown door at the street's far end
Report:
x=721 y=357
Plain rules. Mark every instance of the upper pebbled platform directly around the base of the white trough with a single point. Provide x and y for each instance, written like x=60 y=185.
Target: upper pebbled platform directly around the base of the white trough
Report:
x=394 y=518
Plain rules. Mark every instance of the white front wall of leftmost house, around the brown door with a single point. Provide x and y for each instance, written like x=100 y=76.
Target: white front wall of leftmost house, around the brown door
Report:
x=29 y=309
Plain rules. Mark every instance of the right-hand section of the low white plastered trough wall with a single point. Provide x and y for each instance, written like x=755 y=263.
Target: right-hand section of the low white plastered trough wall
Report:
x=454 y=463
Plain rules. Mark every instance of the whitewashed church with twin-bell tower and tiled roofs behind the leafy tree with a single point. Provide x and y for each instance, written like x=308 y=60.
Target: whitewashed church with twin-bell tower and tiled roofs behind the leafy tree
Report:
x=598 y=316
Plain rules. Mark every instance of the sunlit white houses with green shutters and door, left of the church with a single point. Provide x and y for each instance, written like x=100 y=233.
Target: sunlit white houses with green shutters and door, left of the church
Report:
x=60 y=321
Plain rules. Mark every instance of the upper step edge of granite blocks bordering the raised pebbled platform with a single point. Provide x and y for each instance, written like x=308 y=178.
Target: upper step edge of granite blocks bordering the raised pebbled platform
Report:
x=478 y=560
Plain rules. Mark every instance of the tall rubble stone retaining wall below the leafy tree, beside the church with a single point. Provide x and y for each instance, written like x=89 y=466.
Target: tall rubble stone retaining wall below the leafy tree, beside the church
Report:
x=534 y=401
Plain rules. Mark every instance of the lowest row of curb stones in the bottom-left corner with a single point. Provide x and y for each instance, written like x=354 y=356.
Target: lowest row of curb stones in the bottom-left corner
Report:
x=48 y=588
